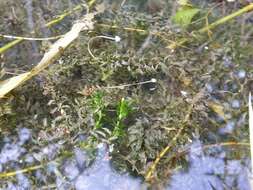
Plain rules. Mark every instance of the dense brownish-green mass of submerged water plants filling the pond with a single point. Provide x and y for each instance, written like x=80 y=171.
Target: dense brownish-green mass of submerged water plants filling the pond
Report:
x=171 y=80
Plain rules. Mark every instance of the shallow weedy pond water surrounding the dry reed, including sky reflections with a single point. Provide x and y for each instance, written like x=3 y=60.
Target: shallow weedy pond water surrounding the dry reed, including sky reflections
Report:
x=46 y=127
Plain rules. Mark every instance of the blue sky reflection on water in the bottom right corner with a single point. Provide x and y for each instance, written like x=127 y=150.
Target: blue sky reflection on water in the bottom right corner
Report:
x=208 y=172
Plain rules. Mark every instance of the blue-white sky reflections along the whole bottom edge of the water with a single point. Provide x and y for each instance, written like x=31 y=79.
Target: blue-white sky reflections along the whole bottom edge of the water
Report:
x=206 y=171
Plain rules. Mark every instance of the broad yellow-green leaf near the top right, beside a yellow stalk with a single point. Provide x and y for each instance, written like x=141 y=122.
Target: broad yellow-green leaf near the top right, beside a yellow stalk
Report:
x=184 y=16
